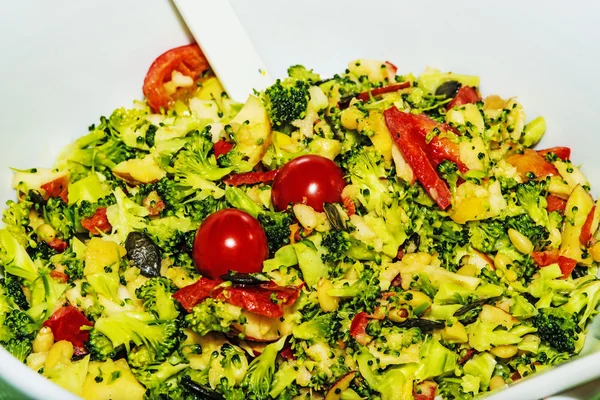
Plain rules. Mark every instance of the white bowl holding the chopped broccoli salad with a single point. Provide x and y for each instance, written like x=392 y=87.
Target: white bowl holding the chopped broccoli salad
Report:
x=65 y=63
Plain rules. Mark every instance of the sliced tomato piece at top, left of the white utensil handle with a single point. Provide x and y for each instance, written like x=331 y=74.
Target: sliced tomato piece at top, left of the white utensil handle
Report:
x=188 y=60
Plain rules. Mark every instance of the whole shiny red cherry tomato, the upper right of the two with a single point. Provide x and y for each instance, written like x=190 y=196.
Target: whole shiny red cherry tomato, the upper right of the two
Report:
x=311 y=179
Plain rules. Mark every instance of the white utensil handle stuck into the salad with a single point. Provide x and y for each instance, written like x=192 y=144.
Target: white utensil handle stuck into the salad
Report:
x=226 y=45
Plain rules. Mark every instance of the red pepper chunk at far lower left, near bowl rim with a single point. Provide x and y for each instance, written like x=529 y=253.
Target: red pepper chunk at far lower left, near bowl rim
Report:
x=66 y=323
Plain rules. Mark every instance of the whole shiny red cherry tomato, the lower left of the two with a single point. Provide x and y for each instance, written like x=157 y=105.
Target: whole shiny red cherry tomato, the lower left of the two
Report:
x=229 y=240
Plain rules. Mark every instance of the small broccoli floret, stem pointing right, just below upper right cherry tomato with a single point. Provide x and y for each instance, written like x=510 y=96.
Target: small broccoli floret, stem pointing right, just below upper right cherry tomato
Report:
x=340 y=244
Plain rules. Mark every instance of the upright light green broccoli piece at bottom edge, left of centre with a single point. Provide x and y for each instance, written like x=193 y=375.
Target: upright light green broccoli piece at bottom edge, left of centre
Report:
x=257 y=381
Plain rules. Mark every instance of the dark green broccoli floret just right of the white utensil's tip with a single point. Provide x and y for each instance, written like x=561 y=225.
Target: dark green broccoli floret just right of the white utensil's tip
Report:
x=286 y=101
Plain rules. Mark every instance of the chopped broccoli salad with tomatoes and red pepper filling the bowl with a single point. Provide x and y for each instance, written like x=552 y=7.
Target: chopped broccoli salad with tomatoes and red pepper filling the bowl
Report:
x=366 y=236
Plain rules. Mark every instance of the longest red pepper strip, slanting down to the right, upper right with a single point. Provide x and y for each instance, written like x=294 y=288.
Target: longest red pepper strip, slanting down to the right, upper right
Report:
x=405 y=131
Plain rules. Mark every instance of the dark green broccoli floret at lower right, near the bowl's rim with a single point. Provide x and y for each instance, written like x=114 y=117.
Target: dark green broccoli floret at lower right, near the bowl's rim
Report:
x=557 y=328
